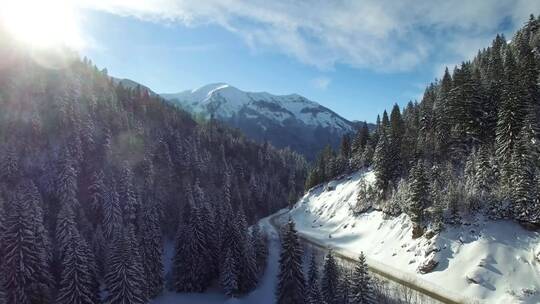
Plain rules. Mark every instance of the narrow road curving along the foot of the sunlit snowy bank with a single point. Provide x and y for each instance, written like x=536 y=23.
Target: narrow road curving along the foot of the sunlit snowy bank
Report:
x=380 y=272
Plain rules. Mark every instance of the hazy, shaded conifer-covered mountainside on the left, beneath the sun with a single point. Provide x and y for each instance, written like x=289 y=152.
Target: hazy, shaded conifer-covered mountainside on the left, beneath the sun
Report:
x=94 y=177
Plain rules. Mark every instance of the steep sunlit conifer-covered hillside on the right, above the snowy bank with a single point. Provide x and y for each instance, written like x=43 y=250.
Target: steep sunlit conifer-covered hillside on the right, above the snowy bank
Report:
x=469 y=147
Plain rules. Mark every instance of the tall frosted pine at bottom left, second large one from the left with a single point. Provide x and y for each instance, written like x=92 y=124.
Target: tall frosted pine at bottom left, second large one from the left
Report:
x=77 y=278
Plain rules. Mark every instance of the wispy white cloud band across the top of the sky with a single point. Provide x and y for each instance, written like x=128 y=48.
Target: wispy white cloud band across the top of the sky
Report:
x=382 y=35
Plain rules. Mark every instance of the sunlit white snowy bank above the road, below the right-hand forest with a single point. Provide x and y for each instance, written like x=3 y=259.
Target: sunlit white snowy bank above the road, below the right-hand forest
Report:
x=486 y=261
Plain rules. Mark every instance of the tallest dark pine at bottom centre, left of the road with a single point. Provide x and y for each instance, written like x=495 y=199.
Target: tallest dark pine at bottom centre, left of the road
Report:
x=291 y=283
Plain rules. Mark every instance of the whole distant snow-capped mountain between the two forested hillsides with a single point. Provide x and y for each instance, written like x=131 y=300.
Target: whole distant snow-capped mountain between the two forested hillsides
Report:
x=284 y=120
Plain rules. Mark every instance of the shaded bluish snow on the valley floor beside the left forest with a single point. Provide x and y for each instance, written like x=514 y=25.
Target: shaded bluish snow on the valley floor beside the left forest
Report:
x=264 y=294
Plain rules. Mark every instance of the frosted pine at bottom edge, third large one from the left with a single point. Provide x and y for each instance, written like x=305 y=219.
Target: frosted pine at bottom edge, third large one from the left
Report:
x=124 y=279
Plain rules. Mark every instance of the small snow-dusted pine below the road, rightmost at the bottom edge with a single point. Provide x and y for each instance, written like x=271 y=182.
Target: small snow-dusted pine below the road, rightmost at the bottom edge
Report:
x=361 y=283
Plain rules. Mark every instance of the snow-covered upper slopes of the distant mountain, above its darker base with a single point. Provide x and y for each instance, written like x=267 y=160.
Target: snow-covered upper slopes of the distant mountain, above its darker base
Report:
x=224 y=101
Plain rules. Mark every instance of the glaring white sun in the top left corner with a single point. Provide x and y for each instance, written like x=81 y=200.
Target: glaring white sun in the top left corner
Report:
x=42 y=24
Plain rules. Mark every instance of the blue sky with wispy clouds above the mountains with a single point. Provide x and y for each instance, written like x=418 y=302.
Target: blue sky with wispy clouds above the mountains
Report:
x=357 y=66
